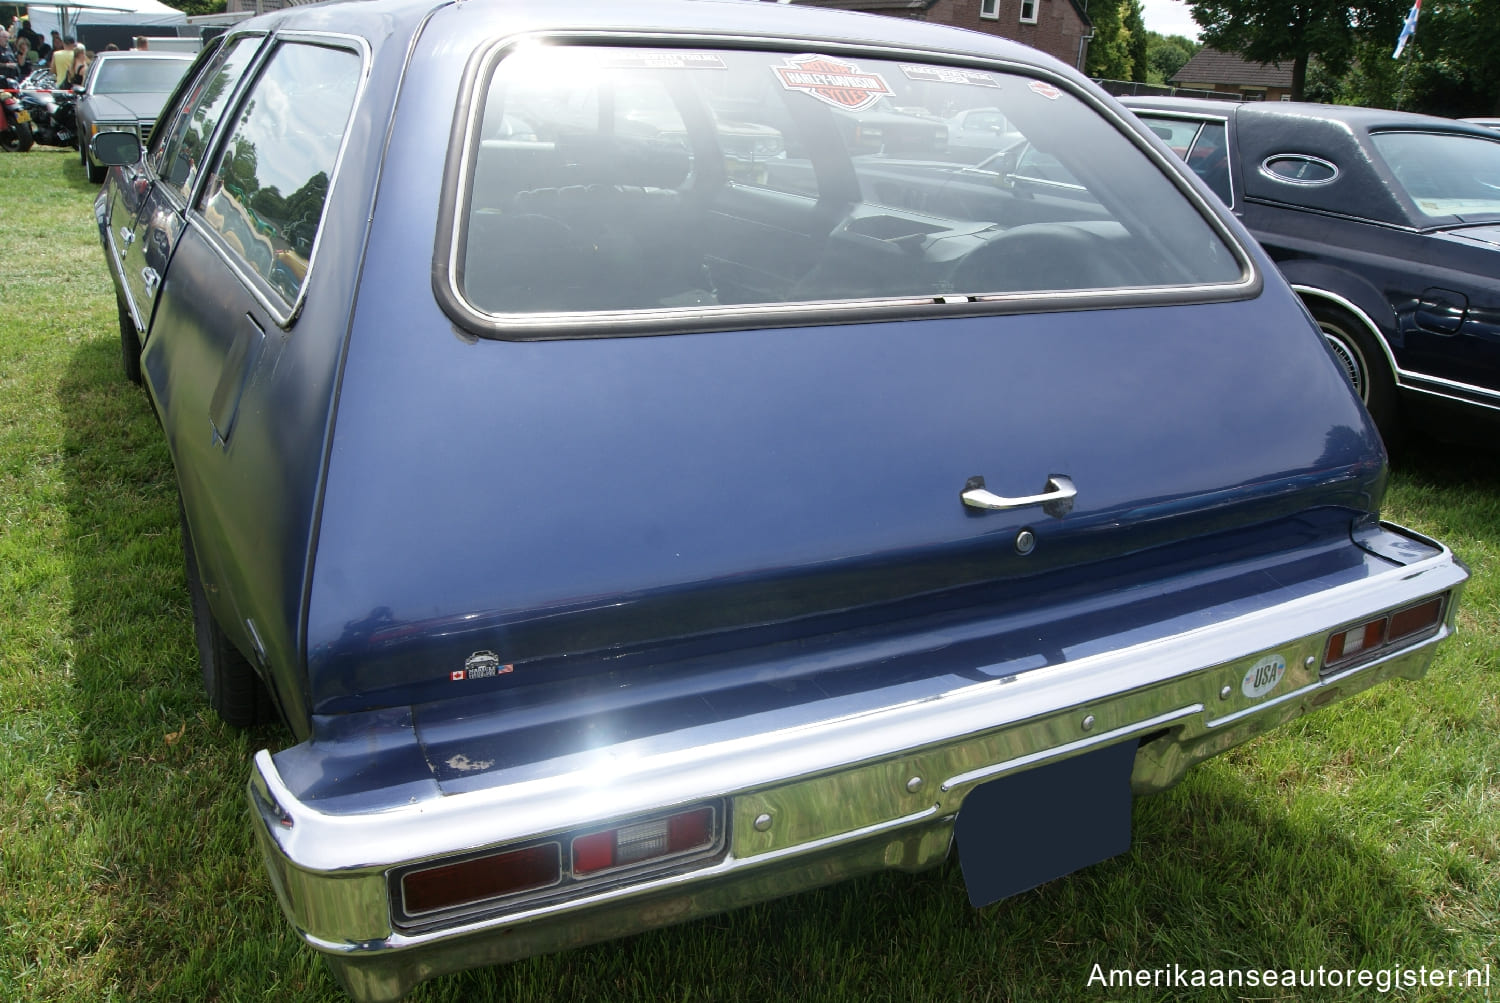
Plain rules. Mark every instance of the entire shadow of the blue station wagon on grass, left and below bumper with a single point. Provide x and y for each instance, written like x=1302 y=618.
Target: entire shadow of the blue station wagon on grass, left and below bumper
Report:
x=181 y=906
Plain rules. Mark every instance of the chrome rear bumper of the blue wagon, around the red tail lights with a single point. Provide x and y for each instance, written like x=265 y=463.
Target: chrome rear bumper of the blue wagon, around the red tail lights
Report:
x=833 y=798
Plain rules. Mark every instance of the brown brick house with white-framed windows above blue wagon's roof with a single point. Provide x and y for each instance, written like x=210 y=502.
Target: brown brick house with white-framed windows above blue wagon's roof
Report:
x=1058 y=28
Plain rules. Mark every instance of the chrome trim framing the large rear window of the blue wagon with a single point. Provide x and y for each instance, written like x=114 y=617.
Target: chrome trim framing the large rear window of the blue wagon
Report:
x=584 y=325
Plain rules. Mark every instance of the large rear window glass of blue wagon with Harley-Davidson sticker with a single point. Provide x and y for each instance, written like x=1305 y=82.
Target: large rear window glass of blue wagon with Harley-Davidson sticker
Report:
x=613 y=179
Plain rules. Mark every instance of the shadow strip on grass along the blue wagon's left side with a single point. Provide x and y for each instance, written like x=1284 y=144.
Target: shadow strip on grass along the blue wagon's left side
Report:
x=181 y=906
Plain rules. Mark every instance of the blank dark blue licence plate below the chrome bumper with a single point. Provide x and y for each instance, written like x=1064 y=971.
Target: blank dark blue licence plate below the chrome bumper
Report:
x=1028 y=828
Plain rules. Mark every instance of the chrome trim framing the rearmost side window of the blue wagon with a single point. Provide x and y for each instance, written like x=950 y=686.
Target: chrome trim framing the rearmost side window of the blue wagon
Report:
x=281 y=313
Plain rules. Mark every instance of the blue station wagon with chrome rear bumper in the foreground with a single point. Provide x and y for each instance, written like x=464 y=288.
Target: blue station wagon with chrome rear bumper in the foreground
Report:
x=626 y=537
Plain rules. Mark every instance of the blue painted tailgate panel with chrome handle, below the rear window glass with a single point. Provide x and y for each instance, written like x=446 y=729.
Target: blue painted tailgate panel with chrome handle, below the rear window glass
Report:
x=532 y=512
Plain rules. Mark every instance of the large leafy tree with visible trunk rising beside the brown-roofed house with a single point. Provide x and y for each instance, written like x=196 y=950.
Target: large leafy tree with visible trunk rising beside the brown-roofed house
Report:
x=1280 y=32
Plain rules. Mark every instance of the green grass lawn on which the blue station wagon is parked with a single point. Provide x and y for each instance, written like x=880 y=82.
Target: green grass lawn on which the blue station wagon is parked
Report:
x=1367 y=836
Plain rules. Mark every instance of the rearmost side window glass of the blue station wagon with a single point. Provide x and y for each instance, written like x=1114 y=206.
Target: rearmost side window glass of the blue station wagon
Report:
x=266 y=194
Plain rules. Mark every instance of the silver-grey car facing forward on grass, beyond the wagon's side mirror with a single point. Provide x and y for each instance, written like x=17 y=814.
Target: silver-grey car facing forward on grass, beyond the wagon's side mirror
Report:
x=124 y=92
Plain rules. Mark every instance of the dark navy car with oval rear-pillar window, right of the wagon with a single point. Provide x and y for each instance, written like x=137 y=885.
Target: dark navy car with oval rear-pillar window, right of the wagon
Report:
x=1387 y=224
